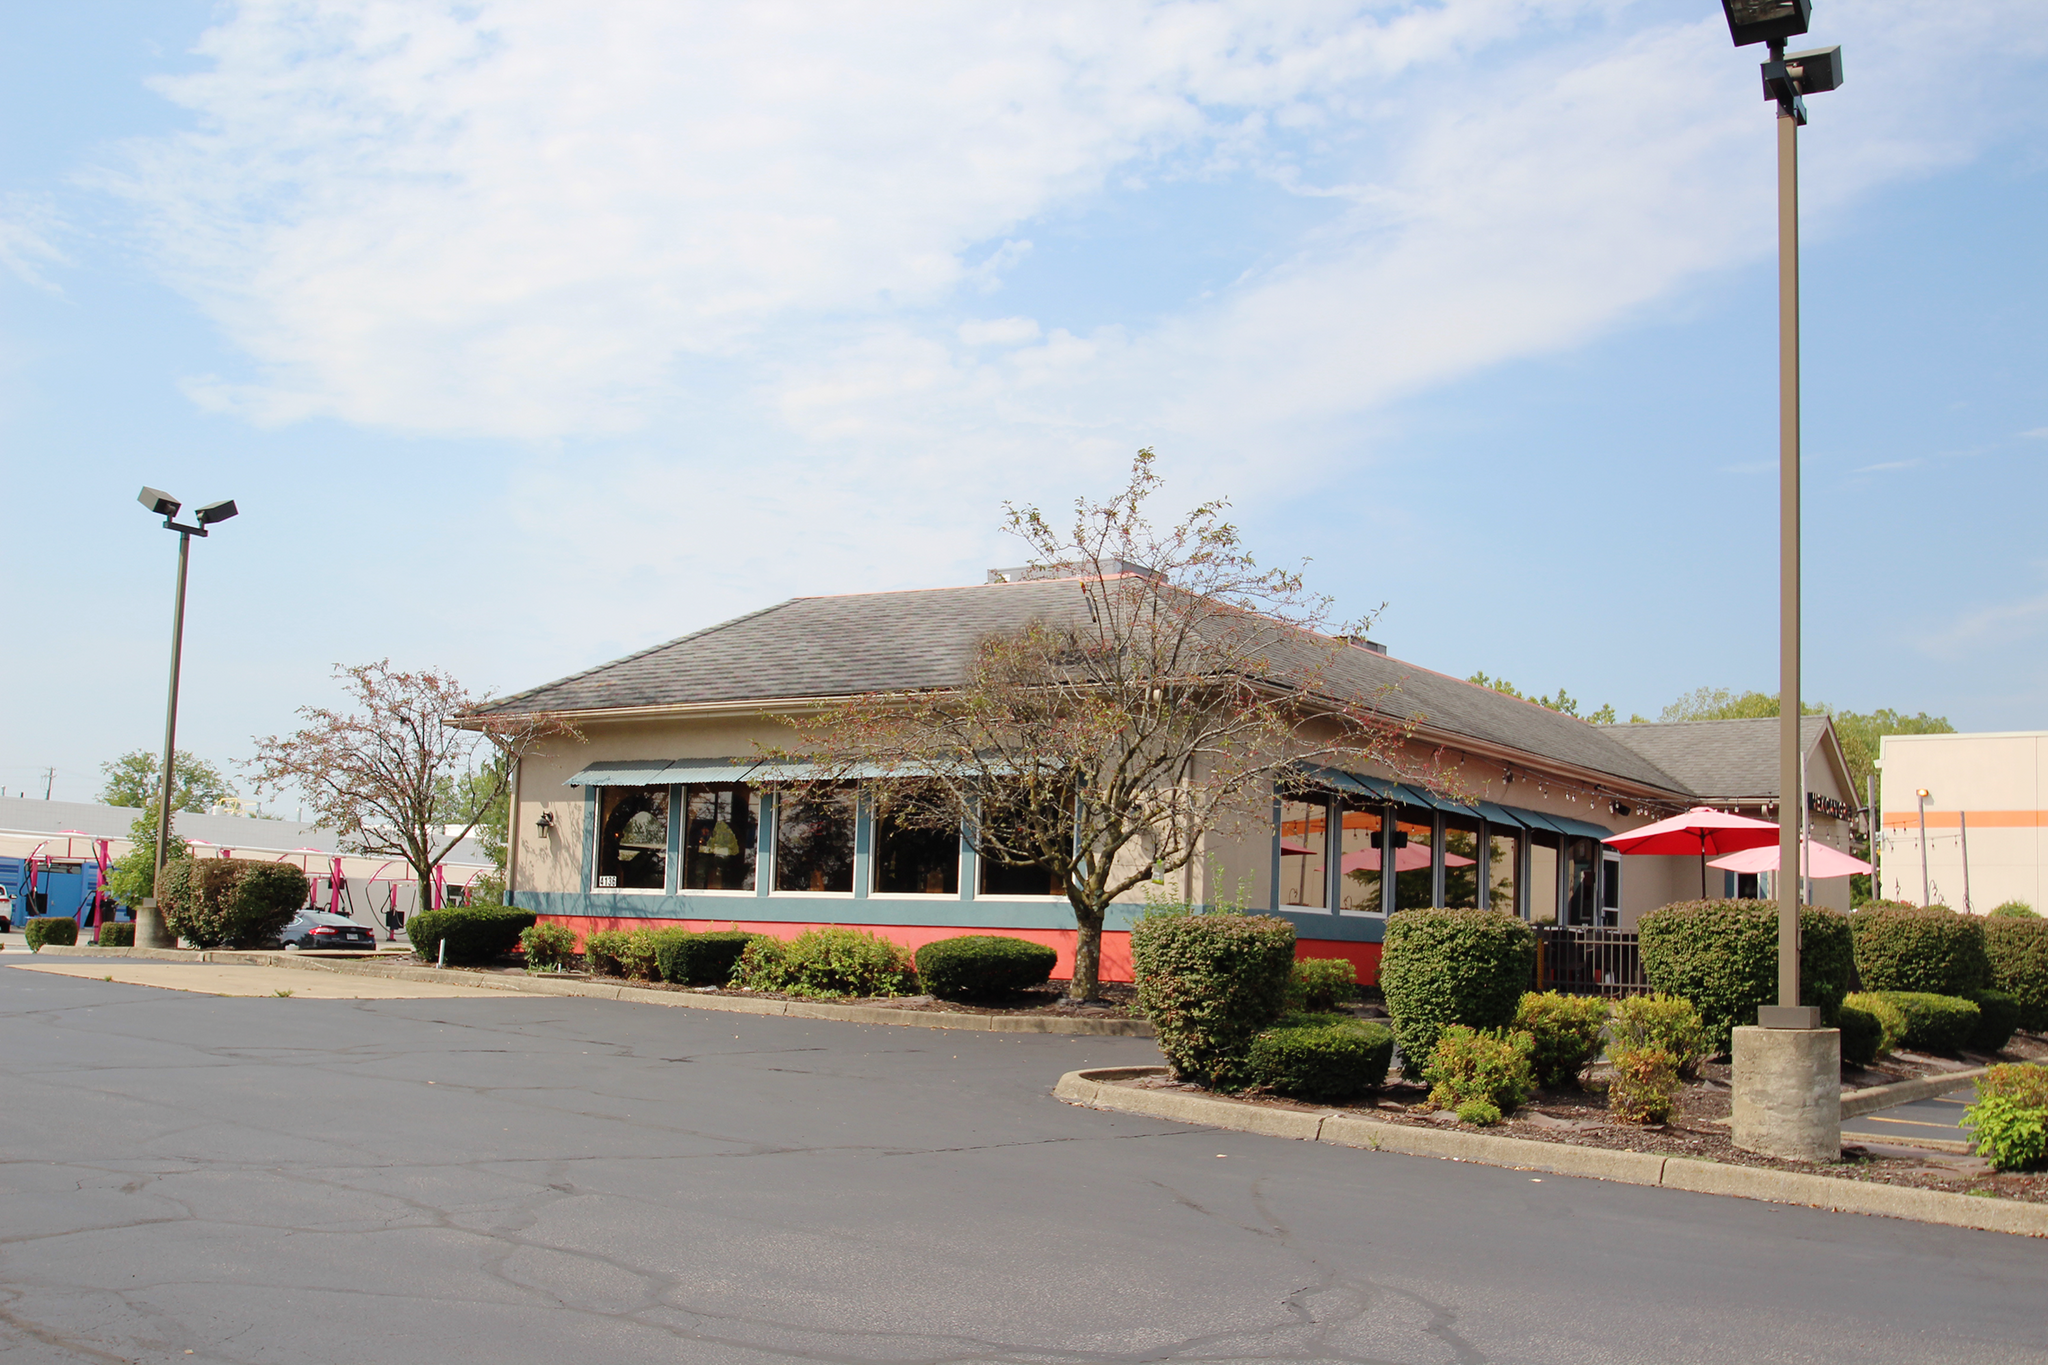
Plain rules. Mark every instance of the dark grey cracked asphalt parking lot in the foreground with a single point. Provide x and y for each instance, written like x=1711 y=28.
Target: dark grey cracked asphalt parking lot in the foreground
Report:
x=191 y=1178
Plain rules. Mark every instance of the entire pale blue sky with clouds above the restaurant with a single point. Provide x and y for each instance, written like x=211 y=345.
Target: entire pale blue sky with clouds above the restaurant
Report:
x=529 y=335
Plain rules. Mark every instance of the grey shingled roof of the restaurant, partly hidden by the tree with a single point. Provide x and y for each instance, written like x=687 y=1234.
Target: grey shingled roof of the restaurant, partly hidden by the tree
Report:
x=904 y=642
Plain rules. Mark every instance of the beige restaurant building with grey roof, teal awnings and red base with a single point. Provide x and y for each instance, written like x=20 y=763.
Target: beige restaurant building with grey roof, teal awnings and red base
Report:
x=665 y=811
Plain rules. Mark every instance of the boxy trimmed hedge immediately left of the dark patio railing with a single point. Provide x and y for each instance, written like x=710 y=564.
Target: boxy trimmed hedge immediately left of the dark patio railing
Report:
x=1453 y=967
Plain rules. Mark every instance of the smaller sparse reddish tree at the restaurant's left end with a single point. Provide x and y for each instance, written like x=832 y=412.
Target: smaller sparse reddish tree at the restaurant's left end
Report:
x=380 y=775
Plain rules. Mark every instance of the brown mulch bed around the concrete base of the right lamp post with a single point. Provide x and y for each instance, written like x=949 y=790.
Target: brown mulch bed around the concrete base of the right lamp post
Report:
x=1699 y=1127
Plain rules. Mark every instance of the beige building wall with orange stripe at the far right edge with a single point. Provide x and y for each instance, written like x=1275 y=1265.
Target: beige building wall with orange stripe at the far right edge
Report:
x=1988 y=787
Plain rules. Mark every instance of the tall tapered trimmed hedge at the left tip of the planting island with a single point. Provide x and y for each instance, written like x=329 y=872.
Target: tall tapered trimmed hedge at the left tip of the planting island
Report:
x=1211 y=983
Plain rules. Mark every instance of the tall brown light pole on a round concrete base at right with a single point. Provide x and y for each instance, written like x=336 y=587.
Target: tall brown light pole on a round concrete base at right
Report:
x=1787 y=1094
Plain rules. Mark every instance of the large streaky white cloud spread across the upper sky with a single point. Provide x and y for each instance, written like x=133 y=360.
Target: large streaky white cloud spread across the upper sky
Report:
x=771 y=255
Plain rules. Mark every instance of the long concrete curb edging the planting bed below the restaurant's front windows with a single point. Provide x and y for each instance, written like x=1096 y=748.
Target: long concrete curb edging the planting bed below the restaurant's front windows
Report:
x=394 y=969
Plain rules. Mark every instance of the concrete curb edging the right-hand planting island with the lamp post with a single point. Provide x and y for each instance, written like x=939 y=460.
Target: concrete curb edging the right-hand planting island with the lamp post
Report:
x=1099 y=1090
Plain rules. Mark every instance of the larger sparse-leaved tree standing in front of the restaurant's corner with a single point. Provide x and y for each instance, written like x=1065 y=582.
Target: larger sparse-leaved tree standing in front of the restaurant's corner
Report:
x=1103 y=744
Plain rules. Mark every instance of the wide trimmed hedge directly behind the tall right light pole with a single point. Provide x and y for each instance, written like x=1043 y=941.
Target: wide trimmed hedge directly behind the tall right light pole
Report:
x=1723 y=957
